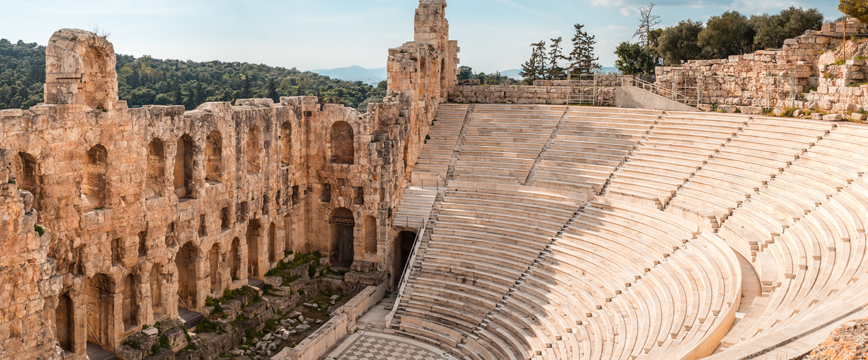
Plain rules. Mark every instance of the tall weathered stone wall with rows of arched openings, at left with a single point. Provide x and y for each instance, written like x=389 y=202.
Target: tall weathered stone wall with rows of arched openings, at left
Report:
x=156 y=207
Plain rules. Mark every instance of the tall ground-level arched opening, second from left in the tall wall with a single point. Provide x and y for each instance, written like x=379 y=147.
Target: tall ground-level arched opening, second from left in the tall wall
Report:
x=99 y=303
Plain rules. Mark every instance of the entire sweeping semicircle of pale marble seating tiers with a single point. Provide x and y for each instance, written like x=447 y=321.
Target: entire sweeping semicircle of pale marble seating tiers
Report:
x=600 y=233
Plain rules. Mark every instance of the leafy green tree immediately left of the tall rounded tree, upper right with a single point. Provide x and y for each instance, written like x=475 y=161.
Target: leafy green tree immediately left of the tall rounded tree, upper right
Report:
x=679 y=43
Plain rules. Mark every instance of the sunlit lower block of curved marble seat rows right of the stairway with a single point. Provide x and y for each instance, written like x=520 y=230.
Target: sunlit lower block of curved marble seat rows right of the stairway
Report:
x=610 y=293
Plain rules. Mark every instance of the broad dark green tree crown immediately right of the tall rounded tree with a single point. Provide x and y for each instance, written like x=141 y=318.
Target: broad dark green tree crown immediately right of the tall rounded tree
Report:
x=772 y=30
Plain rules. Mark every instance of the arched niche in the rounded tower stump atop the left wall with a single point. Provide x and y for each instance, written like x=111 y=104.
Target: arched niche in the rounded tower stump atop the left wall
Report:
x=96 y=78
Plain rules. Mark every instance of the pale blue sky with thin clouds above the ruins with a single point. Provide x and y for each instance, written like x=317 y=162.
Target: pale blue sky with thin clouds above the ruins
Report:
x=317 y=34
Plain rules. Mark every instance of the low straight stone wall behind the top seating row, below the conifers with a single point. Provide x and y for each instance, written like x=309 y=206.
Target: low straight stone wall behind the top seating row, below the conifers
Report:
x=524 y=94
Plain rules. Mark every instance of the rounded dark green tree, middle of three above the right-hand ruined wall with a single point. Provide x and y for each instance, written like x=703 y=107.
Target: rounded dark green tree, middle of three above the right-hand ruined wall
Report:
x=725 y=35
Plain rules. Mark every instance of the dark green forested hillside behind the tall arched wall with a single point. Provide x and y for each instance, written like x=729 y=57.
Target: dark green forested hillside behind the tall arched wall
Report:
x=149 y=81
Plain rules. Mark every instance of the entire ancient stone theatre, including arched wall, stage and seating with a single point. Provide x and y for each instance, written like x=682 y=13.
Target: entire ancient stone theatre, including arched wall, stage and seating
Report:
x=449 y=221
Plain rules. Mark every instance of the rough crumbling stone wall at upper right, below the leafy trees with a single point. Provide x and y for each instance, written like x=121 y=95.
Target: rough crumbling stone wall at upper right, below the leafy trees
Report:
x=777 y=78
